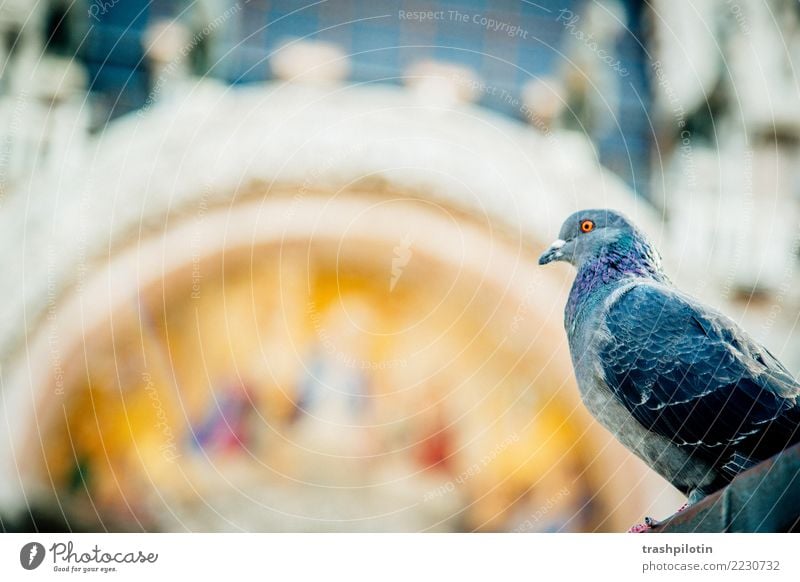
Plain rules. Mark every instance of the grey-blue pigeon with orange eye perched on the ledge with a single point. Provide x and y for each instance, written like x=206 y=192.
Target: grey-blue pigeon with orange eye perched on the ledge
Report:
x=678 y=383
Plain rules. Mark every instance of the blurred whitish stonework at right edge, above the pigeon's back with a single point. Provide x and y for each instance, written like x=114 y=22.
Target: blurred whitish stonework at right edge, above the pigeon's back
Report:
x=727 y=121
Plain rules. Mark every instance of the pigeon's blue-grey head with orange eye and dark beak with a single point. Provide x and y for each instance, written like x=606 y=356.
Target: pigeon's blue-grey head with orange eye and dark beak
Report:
x=588 y=234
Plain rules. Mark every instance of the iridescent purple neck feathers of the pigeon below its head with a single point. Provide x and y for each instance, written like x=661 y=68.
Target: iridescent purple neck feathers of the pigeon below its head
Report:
x=601 y=273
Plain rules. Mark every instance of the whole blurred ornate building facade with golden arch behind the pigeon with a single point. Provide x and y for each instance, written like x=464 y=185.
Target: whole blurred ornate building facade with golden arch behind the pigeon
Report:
x=271 y=265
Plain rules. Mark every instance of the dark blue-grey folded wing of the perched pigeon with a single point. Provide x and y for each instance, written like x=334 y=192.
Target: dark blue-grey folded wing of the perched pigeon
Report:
x=693 y=376
